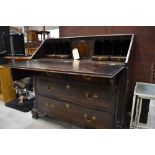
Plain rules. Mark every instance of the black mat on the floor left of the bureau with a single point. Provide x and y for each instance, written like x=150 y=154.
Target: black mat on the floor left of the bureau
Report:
x=25 y=106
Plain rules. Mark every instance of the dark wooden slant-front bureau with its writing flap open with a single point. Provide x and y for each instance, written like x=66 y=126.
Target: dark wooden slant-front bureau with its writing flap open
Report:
x=90 y=92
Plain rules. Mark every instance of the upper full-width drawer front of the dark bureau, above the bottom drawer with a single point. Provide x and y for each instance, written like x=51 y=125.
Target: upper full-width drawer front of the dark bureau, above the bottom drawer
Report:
x=91 y=95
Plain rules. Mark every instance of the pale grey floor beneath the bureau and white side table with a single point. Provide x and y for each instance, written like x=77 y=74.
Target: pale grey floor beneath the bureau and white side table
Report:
x=14 y=119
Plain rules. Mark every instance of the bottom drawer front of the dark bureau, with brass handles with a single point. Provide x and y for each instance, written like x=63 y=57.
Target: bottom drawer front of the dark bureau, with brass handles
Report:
x=80 y=115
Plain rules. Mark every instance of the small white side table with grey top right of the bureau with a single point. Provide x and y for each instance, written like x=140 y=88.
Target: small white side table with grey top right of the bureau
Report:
x=142 y=91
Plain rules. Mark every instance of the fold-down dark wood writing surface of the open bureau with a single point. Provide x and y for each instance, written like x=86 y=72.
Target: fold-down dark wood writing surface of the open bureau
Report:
x=68 y=66
